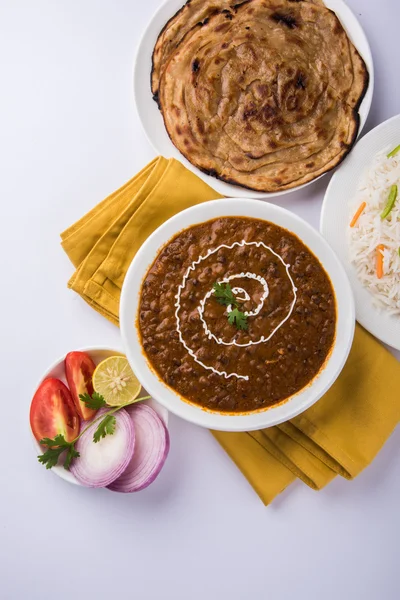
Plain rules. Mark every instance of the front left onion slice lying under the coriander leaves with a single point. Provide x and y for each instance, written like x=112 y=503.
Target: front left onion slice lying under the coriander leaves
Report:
x=99 y=464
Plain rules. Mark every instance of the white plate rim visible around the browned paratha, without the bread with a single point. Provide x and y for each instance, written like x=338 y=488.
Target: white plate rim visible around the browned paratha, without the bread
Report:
x=152 y=120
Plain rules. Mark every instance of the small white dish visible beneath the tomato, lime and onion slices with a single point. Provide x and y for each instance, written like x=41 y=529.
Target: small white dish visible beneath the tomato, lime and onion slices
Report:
x=97 y=354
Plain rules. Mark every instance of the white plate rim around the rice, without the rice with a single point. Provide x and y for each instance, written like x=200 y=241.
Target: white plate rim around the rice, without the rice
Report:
x=335 y=220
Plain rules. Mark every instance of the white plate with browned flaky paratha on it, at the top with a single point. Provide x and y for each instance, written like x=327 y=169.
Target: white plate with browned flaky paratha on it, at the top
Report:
x=259 y=95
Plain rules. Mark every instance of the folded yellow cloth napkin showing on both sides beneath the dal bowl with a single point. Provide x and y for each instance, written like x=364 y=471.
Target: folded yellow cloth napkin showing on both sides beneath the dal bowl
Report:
x=340 y=435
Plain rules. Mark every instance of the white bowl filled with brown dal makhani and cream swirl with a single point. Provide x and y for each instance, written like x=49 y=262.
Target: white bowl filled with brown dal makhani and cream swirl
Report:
x=236 y=315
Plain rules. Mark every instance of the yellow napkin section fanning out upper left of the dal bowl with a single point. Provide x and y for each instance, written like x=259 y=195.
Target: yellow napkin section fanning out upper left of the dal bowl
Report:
x=103 y=243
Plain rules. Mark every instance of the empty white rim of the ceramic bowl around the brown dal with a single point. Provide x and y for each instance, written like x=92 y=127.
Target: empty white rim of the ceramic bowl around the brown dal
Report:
x=130 y=302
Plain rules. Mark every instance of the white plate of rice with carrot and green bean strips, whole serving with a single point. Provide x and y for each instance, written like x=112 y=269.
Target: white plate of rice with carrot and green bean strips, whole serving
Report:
x=361 y=221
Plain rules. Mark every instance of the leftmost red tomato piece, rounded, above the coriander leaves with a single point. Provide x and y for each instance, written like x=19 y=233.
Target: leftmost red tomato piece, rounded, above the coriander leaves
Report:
x=53 y=411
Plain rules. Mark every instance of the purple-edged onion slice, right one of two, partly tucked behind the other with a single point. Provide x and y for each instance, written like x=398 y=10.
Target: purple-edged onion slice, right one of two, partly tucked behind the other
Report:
x=151 y=451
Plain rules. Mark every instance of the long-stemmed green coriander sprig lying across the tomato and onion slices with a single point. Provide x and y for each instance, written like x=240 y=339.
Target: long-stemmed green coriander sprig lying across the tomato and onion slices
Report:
x=106 y=426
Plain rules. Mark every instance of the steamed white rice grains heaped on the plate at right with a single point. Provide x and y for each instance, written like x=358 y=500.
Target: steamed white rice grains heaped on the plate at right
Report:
x=370 y=231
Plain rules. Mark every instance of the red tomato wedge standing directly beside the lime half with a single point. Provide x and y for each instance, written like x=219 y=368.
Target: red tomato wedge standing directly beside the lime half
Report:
x=79 y=369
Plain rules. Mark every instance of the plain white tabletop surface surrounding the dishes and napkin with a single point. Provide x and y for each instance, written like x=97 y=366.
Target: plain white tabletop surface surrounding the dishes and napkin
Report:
x=68 y=137
